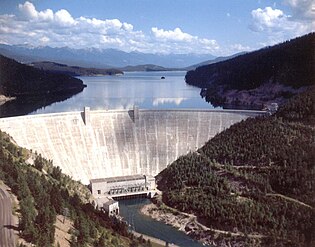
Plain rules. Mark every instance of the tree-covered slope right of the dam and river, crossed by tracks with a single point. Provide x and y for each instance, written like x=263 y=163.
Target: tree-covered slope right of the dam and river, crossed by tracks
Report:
x=256 y=178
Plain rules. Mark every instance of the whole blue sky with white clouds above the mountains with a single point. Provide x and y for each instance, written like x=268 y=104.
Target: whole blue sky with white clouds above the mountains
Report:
x=220 y=27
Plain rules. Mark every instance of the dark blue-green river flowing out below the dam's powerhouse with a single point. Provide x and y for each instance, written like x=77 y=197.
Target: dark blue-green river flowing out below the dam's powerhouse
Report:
x=130 y=211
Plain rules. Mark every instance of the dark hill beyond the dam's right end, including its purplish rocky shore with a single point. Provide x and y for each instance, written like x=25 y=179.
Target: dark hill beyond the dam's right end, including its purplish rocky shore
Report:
x=270 y=74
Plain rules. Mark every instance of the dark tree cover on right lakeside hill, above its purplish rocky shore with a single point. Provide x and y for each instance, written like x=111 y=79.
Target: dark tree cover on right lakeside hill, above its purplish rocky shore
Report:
x=290 y=63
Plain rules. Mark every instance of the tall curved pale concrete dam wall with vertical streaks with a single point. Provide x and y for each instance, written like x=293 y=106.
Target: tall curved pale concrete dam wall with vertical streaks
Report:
x=99 y=144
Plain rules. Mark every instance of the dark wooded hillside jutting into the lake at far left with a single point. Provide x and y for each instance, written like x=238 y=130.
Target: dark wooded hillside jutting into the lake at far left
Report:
x=24 y=89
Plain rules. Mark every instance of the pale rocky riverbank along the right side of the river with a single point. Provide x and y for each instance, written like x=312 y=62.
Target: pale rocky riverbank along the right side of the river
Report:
x=189 y=224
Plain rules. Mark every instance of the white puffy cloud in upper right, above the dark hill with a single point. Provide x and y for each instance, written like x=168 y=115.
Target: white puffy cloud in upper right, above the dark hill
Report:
x=280 y=25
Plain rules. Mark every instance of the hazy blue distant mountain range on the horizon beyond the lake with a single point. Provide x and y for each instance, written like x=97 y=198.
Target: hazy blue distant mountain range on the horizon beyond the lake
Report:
x=107 y=58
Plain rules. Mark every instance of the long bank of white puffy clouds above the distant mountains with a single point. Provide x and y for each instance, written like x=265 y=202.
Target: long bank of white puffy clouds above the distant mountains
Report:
x=60 y=28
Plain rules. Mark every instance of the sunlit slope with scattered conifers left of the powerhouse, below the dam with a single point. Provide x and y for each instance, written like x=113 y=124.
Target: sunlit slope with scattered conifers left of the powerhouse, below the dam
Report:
x=44 y=192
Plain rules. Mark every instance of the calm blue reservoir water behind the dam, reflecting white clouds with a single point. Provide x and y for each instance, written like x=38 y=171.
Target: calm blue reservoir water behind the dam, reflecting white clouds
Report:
x=144 y=89
